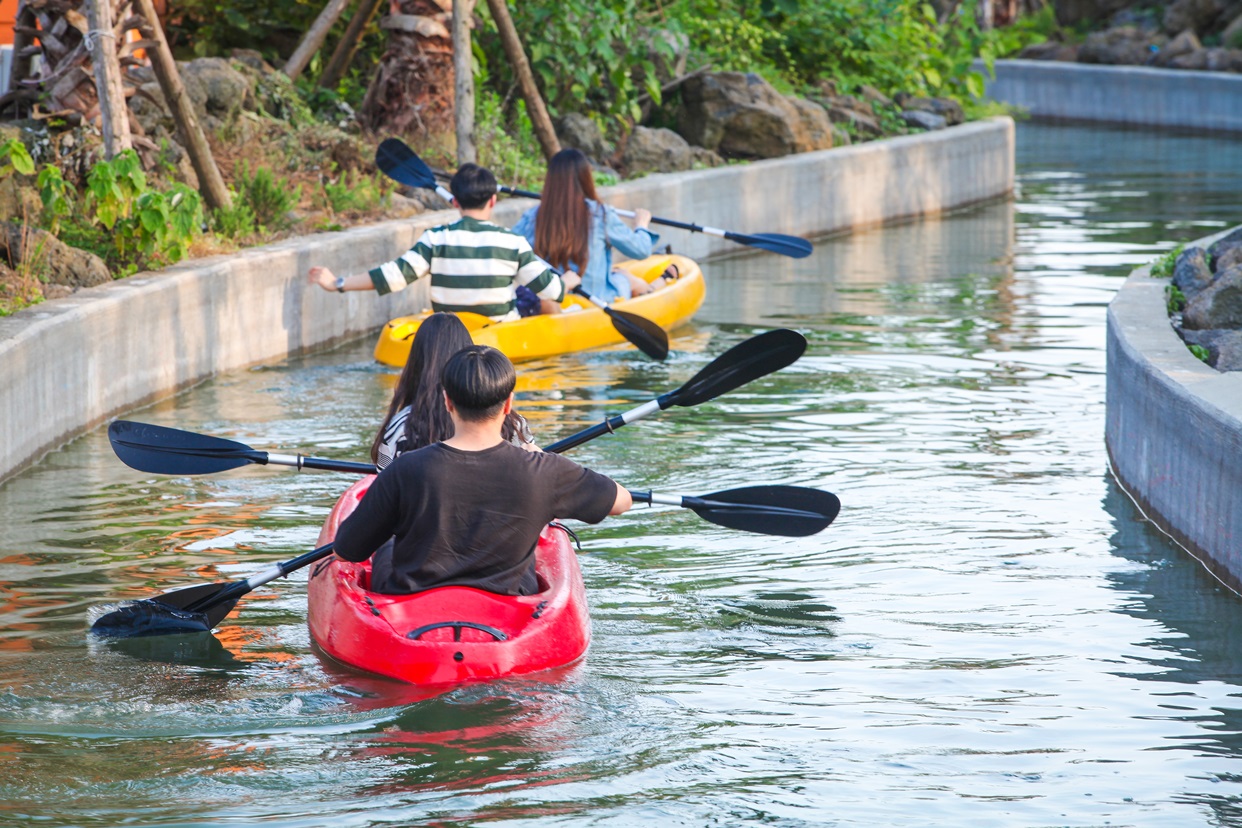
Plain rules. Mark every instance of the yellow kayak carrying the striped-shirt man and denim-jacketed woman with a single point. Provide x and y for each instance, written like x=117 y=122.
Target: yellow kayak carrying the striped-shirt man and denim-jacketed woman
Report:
x=582 y=327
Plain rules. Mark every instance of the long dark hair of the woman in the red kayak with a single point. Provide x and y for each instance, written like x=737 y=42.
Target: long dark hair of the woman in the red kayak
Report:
x=438 y=340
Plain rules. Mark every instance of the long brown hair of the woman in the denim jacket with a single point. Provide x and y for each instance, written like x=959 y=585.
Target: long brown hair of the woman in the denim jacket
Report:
x=563 y=225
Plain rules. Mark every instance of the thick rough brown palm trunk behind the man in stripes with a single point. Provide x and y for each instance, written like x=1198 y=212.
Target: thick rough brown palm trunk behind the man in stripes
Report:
x=413 y=91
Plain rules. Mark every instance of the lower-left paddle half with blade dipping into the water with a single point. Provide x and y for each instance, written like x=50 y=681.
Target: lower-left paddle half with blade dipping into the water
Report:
x=194 y=609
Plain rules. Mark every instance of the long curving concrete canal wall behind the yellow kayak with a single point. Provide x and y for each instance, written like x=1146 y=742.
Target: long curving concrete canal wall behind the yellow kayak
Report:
x=71 y=364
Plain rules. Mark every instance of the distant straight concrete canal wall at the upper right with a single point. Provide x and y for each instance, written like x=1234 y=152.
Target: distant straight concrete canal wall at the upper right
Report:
x=1121 y=95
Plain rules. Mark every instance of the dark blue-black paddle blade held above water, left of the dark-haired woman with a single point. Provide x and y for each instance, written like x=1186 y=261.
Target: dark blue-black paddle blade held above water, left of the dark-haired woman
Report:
x=172 y=451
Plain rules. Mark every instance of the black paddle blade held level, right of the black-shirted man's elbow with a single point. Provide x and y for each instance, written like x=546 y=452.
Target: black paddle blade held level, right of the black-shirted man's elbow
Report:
x=788 y=511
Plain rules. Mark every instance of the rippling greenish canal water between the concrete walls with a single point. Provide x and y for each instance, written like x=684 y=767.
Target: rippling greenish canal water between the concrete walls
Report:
x=989 y=635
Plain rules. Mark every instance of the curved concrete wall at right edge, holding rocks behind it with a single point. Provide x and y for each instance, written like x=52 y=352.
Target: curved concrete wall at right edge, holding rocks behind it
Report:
x=1174 y=428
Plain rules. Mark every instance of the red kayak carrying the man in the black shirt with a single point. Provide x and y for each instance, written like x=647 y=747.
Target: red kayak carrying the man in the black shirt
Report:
x=449 y=635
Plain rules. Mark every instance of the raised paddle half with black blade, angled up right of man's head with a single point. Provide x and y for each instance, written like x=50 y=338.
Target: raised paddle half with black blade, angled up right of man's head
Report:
x=746 y=362
